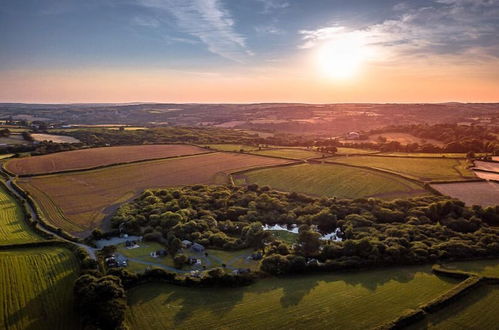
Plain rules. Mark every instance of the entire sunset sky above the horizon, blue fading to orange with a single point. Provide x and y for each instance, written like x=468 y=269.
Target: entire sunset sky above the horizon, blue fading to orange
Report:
x=242 y=51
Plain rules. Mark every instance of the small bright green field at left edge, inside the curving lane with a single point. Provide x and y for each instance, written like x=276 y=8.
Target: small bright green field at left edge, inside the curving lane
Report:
x=13 y=228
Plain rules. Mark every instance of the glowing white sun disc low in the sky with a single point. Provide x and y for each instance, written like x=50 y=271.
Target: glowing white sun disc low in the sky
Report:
x=341 y=58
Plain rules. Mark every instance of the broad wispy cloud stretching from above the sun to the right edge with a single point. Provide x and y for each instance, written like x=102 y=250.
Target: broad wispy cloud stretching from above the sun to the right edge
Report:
x=446 y=27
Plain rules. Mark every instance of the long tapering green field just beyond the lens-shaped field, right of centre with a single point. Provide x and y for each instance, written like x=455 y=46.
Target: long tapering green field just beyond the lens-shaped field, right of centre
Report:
x=417 y=168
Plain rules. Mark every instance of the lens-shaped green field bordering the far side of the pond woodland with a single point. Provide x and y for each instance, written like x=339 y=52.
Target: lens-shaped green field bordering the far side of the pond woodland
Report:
x=335 y=180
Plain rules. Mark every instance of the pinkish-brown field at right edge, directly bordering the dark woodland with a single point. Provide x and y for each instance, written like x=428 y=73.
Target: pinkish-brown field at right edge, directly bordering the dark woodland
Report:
x=472 y=193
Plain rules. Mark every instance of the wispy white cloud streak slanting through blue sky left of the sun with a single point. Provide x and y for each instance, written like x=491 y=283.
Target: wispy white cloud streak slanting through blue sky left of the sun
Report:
x=206 y=20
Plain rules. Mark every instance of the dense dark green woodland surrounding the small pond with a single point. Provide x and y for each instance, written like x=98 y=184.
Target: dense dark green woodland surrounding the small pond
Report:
x=374 y=232
